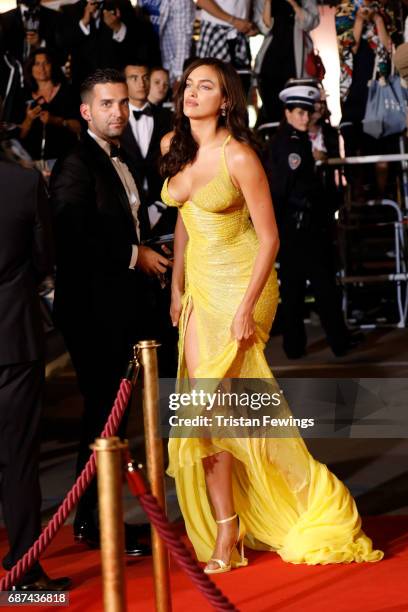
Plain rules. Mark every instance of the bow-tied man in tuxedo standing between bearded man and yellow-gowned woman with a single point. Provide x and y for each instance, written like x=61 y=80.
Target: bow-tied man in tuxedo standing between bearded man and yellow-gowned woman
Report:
x=141 y=140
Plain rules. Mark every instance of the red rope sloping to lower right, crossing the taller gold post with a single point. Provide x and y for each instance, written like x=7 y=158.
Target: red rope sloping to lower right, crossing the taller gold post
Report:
x=180 y=552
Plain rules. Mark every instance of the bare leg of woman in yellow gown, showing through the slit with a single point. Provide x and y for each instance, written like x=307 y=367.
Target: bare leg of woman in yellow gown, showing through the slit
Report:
x=218 y=467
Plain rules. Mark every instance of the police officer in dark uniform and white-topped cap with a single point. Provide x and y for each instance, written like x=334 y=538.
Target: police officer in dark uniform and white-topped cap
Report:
x=305 y=220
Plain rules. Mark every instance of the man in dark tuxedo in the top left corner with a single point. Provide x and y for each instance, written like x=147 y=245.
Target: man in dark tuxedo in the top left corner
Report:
x=30 y=26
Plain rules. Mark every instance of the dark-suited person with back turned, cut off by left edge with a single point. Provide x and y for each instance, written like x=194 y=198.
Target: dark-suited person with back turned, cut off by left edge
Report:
x=25 y=258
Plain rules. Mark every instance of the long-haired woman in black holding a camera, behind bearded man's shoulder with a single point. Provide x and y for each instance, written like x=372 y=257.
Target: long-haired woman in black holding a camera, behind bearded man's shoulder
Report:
x=50 y=125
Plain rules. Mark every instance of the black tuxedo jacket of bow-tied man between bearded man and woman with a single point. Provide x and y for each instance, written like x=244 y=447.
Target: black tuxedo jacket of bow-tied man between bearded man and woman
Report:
x=148 y=167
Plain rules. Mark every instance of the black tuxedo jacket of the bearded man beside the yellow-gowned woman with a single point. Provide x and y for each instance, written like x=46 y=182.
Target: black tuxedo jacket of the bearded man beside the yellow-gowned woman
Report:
x=99 y=301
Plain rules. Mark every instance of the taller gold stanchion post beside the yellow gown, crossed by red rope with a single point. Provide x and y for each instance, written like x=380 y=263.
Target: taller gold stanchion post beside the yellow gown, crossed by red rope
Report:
x=155 y=468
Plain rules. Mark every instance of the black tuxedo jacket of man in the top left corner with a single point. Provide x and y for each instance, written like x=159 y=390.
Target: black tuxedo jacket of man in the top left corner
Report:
x=51 y=29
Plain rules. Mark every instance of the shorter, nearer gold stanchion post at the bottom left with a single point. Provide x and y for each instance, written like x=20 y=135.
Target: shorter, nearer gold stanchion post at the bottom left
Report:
x=109 y=462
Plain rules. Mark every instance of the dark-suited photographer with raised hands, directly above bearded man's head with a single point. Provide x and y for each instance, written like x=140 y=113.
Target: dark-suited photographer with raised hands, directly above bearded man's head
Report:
x=98 y=35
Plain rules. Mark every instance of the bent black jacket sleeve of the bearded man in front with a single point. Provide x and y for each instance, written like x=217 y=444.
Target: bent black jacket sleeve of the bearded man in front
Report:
x=83 y=235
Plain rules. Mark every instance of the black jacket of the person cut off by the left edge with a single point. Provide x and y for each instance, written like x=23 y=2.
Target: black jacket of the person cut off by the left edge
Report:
x=25 y=258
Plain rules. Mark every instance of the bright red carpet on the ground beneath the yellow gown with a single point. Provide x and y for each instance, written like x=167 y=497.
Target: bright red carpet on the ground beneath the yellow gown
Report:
x=266 y=584
